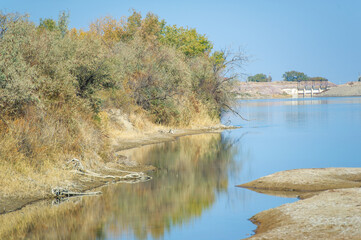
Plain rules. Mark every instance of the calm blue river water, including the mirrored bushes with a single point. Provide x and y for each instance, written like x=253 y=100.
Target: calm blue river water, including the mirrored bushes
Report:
x=193 y=194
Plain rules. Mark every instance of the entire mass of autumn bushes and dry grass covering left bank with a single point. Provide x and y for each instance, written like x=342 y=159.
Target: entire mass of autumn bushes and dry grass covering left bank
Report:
x=59 y=88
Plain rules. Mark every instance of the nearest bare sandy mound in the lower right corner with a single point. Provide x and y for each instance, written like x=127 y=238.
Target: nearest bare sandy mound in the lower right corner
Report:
x=333 y=214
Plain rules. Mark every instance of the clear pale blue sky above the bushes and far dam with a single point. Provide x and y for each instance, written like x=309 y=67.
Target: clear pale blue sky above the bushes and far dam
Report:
x=317 y=37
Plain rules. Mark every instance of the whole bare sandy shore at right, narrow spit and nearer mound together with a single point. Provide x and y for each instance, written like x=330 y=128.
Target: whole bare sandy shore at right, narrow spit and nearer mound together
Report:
x=330 y=209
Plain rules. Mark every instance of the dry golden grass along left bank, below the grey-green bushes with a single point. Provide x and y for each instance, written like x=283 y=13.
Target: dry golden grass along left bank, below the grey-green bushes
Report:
x=35 y=147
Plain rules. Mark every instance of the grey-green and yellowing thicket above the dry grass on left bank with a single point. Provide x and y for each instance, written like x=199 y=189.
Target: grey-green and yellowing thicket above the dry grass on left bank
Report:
x=139 y=61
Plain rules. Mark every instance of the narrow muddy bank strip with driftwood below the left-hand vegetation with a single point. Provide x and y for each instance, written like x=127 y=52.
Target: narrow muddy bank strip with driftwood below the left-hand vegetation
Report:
x=102 y=173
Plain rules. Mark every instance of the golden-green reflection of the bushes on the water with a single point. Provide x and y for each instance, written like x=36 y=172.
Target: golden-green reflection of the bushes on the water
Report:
x=191 y=172
